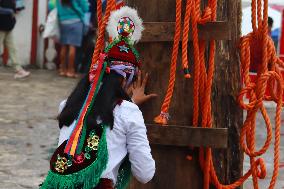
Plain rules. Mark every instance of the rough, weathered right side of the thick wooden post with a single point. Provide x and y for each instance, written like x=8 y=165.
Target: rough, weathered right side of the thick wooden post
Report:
x=226 y=86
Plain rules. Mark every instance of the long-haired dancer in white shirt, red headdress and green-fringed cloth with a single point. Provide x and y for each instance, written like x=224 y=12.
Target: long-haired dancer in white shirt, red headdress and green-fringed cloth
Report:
x=103 y=136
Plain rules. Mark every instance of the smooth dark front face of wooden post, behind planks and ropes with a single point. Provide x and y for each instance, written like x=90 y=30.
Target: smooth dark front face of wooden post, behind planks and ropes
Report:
x=173 y=170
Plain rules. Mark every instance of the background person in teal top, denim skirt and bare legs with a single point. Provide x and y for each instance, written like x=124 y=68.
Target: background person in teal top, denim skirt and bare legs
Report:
x=71 y=16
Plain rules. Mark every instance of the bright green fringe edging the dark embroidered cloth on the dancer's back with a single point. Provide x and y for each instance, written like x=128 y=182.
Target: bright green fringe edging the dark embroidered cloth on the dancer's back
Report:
x=87 y=178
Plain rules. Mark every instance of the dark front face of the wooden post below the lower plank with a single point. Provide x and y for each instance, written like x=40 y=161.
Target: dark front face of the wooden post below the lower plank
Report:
x=173 y=171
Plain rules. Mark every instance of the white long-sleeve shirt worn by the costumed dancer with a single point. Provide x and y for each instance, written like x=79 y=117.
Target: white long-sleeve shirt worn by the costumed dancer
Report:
x=127 y=136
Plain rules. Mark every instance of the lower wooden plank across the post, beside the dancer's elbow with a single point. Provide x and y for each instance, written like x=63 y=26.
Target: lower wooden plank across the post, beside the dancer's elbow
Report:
x=183 y=136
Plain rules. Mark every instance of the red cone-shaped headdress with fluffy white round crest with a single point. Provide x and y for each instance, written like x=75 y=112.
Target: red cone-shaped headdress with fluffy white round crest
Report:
x=125 y=28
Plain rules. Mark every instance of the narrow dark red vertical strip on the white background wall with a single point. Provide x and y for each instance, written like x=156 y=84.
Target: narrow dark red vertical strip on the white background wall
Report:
x=34 y=33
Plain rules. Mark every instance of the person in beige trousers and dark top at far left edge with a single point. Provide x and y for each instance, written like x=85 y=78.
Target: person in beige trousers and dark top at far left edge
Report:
x=7 y=23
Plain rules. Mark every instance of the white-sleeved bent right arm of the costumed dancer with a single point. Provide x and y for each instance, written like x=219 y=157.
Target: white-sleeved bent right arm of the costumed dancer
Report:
x=142 y=163
